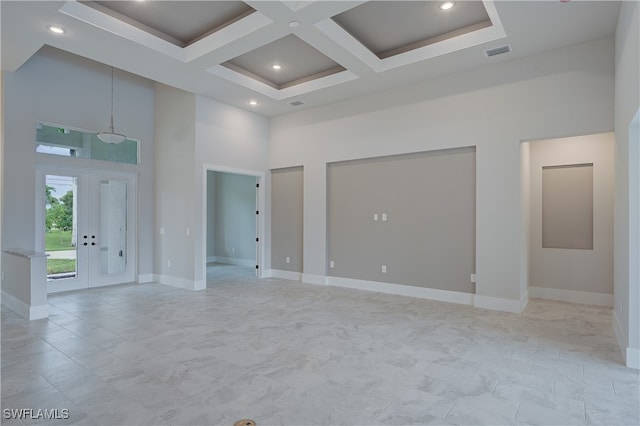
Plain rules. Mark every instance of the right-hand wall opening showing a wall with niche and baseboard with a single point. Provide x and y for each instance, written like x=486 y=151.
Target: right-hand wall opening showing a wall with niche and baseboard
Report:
x=568 y=188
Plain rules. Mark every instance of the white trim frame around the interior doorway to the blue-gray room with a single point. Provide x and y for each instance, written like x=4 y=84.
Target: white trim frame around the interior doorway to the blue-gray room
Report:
x=261 y=222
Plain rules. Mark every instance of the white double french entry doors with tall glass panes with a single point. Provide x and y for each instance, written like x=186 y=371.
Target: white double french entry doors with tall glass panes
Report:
x=86 y=227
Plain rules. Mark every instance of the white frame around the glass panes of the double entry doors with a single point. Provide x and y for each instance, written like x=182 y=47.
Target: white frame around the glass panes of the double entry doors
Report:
x=92 y=279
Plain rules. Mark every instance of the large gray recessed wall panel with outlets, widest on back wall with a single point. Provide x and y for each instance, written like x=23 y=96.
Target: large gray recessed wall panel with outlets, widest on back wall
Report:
x=428 y=239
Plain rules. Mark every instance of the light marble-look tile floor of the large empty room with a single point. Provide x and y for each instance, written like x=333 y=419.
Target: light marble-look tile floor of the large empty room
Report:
x=280 y=352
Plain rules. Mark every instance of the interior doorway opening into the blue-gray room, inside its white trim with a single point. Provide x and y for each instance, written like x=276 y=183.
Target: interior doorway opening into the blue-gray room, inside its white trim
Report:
x=232 y=220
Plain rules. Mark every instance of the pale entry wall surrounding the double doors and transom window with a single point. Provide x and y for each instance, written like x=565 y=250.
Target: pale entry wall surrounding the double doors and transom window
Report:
x=61 y=88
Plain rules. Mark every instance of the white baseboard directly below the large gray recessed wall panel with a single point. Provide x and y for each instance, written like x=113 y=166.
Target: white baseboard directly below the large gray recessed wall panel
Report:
x=403 y=290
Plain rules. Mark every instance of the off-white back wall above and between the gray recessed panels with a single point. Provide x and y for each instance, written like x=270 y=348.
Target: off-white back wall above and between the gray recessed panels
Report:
x=565 y=92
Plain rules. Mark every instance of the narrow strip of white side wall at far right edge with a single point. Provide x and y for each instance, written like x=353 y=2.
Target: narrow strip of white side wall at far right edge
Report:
x=627 y=246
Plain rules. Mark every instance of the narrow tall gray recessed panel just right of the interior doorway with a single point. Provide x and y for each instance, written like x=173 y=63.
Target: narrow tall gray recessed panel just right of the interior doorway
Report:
x=286 y=218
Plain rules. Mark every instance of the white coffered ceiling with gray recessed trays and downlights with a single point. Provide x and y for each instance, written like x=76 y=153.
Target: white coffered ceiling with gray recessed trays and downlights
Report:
x=327 y=50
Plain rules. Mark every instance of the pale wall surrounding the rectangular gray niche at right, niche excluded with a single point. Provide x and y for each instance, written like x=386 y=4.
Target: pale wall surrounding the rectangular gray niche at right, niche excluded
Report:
x=573 y=269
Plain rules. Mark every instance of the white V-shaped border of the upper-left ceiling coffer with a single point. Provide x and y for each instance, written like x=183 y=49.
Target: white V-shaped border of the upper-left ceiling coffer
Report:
x=226 y=35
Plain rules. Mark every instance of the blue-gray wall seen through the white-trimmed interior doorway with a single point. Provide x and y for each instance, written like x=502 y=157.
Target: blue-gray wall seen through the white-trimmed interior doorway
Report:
x=235 y=216
